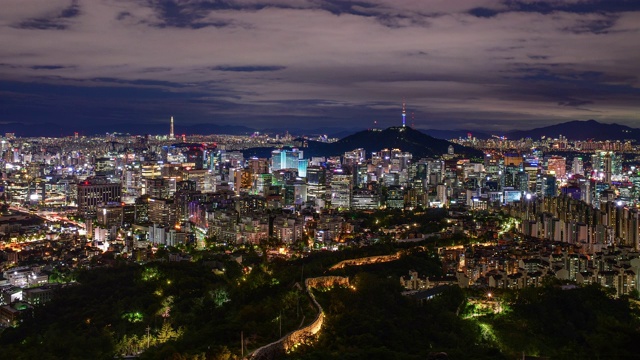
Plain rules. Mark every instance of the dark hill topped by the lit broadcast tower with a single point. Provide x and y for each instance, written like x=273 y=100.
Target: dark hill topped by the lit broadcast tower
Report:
x=405 y=139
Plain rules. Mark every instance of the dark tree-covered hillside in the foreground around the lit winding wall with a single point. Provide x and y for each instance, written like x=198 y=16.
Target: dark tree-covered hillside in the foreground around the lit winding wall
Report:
x=198 y=310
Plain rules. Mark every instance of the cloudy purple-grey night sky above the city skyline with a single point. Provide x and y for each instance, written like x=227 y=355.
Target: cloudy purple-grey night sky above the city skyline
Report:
x=476 y=64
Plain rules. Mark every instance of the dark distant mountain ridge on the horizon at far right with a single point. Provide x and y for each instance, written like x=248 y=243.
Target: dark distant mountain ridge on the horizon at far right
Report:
x=580 y=130
